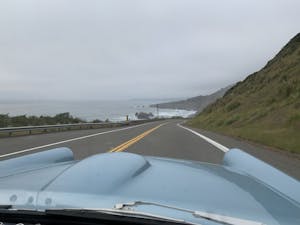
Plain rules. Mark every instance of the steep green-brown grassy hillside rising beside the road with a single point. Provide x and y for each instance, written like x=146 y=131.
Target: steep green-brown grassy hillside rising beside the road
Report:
x=265 y=107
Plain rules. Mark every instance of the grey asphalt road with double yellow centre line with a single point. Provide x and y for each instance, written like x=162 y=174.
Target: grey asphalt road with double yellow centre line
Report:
x=161 y=138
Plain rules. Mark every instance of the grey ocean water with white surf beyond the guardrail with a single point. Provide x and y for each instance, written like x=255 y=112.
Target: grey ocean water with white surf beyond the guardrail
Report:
x=89 y=110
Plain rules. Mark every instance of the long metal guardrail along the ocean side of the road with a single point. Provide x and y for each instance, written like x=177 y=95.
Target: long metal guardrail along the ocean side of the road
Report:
x=27 y=130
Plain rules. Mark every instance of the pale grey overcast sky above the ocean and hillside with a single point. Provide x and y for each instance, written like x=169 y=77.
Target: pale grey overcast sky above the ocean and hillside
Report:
x=58 y=49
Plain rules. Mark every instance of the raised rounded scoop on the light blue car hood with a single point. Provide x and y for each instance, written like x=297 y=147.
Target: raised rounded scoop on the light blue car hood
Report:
x=99 y=174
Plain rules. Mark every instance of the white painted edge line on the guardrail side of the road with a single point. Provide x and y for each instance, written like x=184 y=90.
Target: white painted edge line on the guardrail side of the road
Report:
x=69 y=140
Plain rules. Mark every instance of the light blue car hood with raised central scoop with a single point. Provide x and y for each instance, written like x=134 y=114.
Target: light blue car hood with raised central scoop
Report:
x=104 y=180
